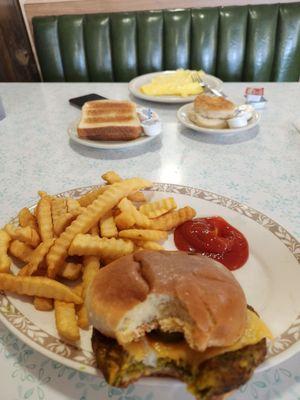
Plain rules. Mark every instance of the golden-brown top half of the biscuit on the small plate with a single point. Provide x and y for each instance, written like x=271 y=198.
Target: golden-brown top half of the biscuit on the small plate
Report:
x=214 y=107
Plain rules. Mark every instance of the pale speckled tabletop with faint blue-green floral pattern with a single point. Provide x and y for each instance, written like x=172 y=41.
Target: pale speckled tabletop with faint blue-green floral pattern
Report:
x=260 y=168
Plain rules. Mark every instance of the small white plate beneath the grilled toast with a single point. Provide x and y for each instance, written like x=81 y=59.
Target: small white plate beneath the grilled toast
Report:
x=105 y=144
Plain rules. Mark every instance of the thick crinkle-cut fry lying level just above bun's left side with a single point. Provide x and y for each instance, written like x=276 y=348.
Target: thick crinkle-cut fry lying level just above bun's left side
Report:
x=101 y=247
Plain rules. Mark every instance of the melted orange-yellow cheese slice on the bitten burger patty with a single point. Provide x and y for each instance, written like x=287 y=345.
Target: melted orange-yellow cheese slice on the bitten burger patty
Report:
x=148 y=350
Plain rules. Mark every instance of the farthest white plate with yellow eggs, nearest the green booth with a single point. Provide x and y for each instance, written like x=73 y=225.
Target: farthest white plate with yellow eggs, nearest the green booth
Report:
x=171 y=86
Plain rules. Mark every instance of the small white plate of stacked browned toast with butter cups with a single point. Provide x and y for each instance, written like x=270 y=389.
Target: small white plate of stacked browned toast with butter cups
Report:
x=114 y=124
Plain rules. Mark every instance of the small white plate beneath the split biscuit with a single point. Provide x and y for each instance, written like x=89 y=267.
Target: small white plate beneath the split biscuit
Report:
x=183 y=117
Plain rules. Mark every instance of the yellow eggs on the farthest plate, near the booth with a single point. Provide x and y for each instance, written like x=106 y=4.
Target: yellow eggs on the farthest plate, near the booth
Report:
x=180 y=83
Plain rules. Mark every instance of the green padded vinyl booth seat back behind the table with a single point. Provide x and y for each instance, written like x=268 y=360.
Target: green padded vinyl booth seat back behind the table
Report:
x=239 y=43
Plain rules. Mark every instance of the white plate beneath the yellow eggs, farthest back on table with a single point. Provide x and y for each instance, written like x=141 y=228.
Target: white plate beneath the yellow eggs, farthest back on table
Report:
x=136 y=83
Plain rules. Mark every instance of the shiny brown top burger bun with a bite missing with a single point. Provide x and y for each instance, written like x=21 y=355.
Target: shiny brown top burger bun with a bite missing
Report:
x=170 y=290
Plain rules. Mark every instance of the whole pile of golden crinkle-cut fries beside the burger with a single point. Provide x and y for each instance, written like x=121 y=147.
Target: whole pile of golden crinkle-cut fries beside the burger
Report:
x=64 y=242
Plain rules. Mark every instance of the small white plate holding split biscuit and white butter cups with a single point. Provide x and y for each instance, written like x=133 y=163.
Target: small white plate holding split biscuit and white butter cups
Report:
x=217 y=115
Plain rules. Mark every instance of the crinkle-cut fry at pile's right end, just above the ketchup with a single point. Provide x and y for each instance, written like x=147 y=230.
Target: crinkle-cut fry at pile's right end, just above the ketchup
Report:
x=173 y=219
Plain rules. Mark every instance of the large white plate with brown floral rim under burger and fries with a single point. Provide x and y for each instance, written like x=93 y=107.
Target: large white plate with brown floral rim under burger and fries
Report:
x=270 y=279
